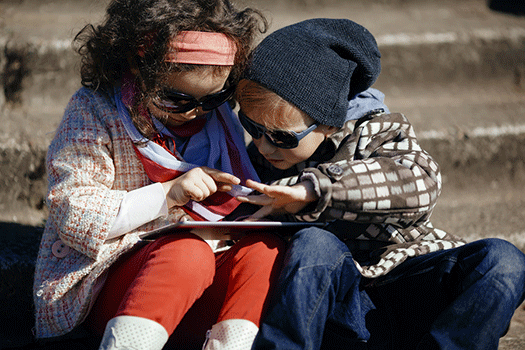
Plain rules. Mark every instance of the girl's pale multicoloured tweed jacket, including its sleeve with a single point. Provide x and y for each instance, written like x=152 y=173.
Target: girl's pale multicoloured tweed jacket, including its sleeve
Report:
x=91 y=164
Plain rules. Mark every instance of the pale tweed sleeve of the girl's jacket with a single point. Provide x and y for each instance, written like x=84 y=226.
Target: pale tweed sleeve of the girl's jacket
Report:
x=81 y=173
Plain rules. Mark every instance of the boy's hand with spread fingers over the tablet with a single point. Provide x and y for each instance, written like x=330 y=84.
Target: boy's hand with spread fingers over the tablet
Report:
x=279 y=199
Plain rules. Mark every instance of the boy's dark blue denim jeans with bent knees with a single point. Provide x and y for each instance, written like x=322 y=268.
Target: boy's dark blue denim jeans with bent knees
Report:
x=461 y=298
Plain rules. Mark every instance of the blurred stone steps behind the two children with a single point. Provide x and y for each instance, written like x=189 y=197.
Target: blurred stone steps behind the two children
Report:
x=456 y=69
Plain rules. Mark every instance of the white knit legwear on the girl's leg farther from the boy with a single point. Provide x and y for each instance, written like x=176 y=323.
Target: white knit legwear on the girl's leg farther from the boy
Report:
x=133 y=333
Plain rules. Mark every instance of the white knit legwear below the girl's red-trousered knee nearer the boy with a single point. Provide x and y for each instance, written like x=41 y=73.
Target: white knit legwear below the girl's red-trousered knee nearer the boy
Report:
x=236 y=334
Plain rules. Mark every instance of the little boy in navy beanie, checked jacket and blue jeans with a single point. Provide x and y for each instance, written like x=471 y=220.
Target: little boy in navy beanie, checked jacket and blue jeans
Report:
x=379 y=275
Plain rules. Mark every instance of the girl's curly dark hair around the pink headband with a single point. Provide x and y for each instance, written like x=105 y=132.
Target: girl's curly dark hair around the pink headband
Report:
x=110 y=49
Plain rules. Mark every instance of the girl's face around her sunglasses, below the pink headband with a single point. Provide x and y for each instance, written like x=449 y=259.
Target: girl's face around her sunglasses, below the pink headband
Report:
x=198 y=84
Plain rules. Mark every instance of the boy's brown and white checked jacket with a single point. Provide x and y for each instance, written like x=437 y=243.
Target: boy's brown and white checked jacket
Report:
x=377 y=190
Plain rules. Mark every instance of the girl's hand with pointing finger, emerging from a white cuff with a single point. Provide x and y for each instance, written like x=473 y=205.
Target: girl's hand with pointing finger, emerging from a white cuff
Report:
x=197 y=184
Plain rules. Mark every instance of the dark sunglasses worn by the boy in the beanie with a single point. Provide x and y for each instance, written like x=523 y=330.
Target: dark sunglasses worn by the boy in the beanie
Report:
x=279 y=138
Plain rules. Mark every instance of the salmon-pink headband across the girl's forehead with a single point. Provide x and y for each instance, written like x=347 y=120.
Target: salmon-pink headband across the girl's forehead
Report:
x=202 y=48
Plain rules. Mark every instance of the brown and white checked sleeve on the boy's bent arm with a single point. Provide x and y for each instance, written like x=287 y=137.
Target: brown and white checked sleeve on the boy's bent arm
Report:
x=379 y=175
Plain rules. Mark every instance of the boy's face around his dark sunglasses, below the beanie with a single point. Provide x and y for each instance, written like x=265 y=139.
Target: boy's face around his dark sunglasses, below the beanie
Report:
x=287 y=119
